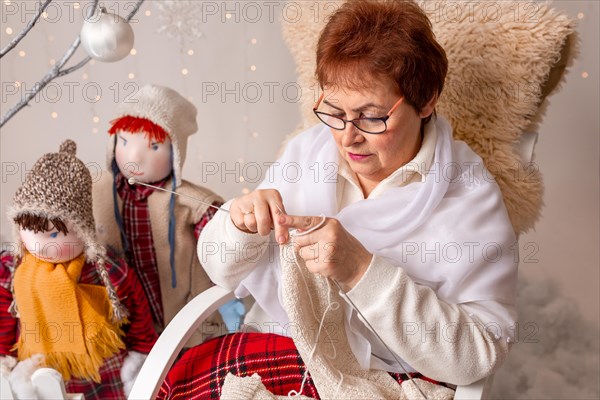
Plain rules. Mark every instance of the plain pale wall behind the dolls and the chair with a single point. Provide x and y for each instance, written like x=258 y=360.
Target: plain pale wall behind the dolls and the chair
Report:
x=566 y=238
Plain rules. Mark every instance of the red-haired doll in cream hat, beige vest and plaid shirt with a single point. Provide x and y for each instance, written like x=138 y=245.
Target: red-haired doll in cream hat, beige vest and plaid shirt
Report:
x=156 y=230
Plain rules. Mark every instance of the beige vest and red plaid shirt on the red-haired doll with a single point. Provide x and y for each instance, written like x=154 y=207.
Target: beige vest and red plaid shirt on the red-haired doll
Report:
x=145 y=214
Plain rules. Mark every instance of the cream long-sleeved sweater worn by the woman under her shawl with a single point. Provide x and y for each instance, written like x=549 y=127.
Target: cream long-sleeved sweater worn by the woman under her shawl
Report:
x=410 y=317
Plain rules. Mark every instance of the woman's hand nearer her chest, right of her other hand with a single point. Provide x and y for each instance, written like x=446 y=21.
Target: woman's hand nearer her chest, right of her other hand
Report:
x=330 y=251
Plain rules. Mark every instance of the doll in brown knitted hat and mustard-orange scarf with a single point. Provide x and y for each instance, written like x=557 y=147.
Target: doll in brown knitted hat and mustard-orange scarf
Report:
x=65 y=303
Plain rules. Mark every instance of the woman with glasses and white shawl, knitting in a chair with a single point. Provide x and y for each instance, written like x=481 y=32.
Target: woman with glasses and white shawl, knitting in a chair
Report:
x=403 y=218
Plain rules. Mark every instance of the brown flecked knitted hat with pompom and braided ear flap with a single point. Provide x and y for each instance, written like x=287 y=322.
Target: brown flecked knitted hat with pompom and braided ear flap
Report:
x=59 y=186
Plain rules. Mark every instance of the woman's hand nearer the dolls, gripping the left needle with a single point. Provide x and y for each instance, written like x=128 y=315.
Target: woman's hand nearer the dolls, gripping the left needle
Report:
x=258 y=212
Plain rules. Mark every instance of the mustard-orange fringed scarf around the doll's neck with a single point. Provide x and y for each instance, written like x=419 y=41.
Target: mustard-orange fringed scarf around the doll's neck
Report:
x=65 y=320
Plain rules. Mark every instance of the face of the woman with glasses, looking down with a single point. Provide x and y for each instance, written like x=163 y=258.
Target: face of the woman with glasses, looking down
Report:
x=373 y=157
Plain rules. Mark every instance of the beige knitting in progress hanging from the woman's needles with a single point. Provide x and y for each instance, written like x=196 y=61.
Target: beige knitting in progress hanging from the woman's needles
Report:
x=313 y=305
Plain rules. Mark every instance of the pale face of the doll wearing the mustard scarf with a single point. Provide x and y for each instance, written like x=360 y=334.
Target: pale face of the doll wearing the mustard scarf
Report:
x=53 y=246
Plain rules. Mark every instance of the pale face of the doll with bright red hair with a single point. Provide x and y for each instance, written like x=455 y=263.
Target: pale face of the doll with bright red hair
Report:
x=142 y=159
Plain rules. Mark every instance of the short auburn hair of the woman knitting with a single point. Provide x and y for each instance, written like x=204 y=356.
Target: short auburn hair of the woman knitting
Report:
x=388 y=41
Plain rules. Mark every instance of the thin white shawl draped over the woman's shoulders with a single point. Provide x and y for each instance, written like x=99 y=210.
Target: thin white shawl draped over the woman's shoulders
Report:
x=450 y=232
